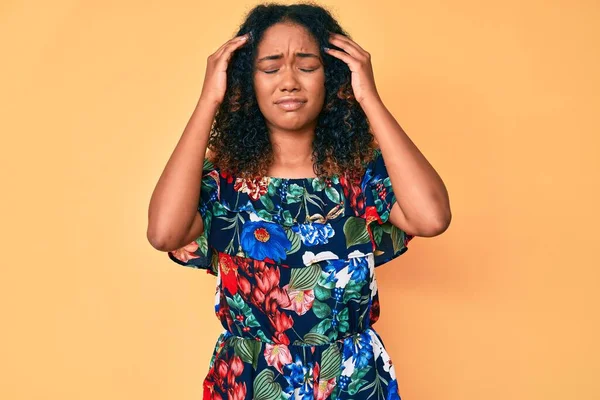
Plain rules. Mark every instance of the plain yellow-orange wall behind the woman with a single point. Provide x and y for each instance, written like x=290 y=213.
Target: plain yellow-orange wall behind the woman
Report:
x=501 y=97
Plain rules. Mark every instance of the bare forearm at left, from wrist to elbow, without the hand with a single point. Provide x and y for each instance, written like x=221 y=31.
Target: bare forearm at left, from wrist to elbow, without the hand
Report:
x=173 y=216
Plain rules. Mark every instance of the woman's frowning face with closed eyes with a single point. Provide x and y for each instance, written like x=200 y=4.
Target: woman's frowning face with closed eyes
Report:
x=289 y=65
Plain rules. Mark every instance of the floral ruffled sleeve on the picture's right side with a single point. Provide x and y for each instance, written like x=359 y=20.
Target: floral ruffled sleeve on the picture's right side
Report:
x=388 y=240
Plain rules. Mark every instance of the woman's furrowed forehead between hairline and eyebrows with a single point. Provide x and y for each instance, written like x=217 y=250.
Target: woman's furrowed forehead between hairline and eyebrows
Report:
x=283 y=37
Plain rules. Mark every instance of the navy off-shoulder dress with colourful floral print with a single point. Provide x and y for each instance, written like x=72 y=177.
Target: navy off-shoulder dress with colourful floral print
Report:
x=294 y=261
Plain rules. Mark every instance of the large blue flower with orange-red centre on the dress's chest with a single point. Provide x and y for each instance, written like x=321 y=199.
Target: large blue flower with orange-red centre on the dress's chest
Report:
x=261 y=239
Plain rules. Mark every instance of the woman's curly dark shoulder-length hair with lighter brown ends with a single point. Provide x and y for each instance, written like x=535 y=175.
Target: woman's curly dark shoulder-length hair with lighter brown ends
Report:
x=239 y=138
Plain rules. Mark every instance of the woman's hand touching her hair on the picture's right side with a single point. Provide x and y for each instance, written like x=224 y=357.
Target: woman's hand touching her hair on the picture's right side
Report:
x=359 y=61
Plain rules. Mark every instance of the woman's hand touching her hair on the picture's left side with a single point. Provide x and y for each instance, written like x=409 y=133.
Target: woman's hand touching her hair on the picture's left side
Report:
x=215 y=79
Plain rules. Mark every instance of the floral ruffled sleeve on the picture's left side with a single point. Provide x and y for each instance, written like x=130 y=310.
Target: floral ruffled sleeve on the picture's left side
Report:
x=199 y=254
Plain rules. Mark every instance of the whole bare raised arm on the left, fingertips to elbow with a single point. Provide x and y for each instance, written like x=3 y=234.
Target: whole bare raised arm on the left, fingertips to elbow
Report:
x=173 y=217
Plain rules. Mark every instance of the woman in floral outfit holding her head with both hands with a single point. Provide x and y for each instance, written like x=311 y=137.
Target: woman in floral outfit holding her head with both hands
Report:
x=293 y=208
